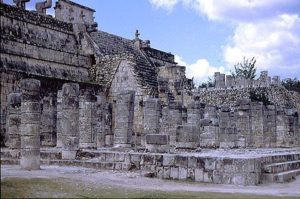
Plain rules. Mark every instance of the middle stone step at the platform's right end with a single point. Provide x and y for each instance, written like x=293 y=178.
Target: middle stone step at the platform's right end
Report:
x=281 y=167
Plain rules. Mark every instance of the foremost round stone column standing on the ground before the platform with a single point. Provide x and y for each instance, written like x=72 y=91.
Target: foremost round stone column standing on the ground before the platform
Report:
x=30 y=124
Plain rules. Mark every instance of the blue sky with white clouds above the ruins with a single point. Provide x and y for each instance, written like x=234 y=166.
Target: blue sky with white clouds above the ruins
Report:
x=209 y=35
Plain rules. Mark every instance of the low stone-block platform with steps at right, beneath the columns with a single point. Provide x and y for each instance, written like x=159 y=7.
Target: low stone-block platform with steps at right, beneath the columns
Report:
x=235 y=166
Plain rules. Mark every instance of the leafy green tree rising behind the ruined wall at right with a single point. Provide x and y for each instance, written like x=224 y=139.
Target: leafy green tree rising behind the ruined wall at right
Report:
x=246 y=68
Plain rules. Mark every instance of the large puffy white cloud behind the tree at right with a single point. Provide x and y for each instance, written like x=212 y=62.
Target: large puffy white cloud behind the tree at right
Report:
x=275 y=43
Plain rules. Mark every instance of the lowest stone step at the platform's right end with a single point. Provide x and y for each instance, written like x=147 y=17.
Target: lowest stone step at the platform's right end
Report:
x=281 y=177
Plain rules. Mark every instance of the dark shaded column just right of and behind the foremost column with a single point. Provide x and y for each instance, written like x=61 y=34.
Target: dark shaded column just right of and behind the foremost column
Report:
x=48 y=132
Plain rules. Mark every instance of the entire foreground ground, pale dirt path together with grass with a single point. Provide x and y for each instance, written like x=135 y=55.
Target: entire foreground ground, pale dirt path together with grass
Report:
x=56 y=181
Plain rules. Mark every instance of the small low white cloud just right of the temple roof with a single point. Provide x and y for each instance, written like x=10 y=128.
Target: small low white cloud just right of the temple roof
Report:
x=200 y=70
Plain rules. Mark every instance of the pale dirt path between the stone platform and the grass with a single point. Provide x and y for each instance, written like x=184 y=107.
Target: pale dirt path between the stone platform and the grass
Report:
x=134 y=181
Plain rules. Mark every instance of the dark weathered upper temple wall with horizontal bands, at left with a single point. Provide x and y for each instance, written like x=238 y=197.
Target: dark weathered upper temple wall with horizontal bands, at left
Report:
x=40 y=45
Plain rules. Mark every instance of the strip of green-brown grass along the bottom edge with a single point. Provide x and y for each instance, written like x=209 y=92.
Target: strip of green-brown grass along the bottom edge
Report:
x=63 y=188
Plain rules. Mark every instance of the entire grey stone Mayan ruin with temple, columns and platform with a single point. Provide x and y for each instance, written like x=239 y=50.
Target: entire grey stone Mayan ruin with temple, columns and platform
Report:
x=72 y=94
